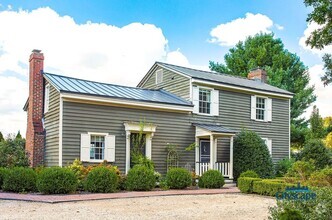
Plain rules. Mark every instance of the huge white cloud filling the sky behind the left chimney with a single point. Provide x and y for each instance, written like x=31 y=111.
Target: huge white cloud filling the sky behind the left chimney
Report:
x=95 y=51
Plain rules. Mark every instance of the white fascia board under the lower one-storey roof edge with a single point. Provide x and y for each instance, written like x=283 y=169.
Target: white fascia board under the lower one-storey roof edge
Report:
x=88 y=98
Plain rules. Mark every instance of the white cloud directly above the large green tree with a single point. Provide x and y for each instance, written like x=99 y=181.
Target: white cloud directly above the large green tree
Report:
x=237 y=30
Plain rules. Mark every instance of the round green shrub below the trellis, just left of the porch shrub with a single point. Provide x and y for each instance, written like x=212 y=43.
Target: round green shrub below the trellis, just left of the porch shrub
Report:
x=178 y=178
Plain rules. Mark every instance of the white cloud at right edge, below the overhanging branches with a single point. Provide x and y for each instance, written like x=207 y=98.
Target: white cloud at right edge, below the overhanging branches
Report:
x=323 y=101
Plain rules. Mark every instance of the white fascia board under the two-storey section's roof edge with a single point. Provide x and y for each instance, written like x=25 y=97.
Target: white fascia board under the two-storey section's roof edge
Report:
x=241 y=88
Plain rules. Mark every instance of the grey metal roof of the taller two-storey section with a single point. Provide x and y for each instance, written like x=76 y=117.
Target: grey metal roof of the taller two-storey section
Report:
x=225 y=78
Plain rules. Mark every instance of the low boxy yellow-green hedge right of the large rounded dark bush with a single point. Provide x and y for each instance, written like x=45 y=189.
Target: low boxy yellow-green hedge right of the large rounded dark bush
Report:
x=269 y=187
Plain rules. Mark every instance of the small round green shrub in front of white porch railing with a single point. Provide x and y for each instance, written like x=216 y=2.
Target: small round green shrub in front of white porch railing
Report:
x=211 y=179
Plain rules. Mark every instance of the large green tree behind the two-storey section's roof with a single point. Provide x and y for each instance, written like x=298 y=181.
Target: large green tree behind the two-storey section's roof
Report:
x=285 y=70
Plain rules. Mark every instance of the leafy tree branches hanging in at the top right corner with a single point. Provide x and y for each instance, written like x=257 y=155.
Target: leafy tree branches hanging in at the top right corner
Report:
x=322 y=36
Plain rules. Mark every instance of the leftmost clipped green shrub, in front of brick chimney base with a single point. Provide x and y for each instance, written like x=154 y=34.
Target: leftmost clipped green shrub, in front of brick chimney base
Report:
x=19 y=179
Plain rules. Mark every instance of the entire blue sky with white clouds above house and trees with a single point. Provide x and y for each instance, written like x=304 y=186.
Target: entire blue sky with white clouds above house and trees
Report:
x=105 y=40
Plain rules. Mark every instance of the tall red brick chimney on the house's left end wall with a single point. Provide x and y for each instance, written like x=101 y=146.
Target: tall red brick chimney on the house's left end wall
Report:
x=35 y=109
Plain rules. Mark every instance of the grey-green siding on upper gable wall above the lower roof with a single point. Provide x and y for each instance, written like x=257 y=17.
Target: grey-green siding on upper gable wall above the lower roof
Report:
x=172 y=82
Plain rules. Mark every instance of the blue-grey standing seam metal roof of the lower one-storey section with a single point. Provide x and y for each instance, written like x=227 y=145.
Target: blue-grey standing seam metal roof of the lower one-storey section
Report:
x=80 y=86
